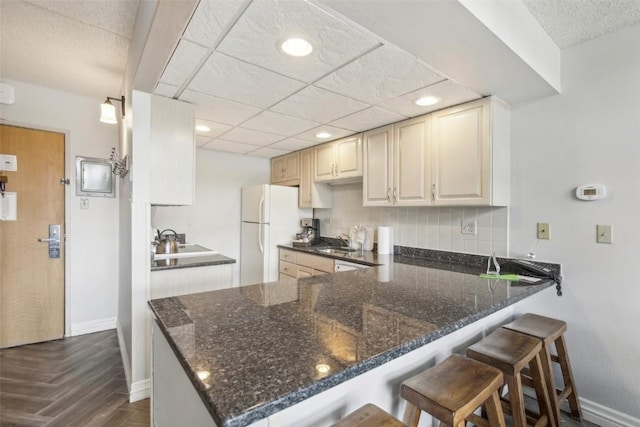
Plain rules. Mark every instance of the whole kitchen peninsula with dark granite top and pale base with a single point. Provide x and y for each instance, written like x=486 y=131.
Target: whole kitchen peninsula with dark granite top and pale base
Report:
x=248 y=357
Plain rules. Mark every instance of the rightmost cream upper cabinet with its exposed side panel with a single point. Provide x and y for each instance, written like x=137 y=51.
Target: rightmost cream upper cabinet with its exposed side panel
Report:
x=470 y=150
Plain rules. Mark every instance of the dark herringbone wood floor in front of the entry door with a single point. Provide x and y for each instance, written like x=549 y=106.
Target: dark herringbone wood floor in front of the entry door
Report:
x=76 y=381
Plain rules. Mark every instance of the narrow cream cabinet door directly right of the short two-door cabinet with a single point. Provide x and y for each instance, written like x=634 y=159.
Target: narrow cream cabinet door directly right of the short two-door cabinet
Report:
x=377 y=154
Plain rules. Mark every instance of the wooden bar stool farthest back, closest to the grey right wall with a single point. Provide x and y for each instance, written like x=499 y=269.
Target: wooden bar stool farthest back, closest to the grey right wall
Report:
x=551 y=331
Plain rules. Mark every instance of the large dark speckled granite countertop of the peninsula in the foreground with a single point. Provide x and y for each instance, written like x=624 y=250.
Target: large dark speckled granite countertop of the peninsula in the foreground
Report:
x=263 y=343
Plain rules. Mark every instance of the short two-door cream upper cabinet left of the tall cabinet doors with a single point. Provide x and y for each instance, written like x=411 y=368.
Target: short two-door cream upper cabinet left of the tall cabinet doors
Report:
x=338 y=160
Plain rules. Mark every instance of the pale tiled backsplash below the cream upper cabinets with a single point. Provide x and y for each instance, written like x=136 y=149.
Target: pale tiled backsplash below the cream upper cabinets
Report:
x=421 y=227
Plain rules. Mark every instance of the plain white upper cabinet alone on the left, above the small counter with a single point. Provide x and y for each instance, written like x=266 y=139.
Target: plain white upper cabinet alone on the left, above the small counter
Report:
x=172 y=158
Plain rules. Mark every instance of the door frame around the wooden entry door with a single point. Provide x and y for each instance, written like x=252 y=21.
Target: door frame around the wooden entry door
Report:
x=68 y=172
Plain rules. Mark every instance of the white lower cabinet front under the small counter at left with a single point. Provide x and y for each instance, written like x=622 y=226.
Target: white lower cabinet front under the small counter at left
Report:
x=182 y=281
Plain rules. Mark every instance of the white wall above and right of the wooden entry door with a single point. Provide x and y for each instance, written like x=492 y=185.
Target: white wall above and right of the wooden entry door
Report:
x=91 y=275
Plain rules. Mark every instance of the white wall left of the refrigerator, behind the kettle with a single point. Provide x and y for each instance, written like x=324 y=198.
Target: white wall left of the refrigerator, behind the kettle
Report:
x=213 y=220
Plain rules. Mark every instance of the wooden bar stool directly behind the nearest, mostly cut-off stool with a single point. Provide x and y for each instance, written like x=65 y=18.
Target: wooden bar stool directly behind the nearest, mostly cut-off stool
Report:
x=451 y=392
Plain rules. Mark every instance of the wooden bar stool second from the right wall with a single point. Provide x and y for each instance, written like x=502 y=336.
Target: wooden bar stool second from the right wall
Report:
x=512 y=352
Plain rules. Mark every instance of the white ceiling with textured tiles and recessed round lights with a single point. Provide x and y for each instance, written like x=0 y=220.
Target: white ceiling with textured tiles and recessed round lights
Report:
x=256 y=100
